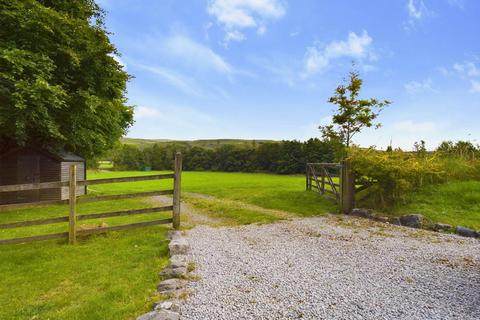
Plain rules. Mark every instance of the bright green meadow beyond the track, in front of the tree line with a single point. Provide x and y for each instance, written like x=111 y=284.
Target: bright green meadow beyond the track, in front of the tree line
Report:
x=279 y=192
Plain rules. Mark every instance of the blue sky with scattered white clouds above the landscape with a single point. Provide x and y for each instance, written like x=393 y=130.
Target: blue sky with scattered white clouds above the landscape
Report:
x=264 y=69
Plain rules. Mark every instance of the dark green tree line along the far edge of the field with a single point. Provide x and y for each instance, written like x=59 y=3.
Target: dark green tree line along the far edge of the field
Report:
x=283 y=157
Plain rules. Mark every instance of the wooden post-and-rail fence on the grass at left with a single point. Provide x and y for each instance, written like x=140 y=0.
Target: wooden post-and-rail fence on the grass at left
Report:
x=73 y=218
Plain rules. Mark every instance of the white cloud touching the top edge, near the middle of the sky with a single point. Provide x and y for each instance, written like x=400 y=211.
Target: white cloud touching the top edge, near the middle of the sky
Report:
x=240 y=14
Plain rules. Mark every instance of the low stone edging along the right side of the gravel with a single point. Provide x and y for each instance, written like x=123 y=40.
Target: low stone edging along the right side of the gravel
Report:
x=415 y=221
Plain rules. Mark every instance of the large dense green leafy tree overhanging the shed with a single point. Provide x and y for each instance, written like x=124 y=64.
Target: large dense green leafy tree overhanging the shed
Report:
x=60 y=86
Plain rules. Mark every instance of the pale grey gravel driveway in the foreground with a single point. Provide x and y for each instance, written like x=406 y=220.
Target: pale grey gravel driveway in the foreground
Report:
x=332 y=268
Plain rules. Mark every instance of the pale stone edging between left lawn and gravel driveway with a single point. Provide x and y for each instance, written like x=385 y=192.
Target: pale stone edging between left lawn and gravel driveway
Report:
x=176 y=276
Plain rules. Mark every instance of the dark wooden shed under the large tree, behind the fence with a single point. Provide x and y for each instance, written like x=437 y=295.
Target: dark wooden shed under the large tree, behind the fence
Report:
x=31 y=165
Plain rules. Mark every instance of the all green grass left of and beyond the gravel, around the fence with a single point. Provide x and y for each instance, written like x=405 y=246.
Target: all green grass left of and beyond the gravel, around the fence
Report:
x=113 y=276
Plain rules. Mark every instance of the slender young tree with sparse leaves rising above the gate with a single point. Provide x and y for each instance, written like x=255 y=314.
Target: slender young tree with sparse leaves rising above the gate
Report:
x=353 y=113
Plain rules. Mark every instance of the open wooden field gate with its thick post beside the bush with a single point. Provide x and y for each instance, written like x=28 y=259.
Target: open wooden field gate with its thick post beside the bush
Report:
x=320 y=178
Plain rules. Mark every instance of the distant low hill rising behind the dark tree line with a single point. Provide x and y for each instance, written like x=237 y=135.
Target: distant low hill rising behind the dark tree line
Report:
x=207 y=143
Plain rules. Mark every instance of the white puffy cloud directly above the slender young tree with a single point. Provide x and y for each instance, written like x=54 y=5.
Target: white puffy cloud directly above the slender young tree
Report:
x=356 y=46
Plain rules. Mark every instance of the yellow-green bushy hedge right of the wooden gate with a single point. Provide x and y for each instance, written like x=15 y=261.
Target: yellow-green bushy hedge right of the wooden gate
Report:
x=397 y=173
